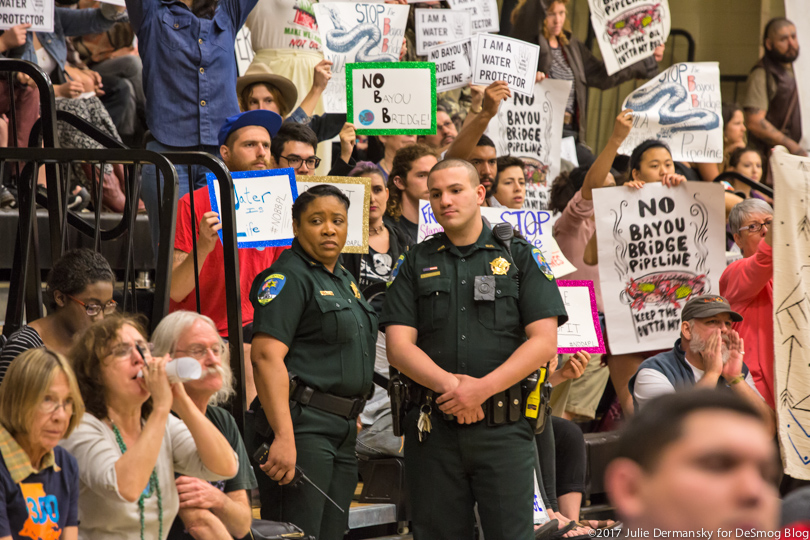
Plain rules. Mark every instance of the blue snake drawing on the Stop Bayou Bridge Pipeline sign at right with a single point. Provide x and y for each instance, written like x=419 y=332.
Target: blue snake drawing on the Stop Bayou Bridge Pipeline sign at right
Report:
x=688 y=120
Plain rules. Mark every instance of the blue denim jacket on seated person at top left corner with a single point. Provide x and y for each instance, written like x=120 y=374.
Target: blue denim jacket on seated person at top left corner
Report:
x=66 y=22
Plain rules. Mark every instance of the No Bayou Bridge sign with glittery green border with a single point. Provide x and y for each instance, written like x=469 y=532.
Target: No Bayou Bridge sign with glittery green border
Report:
x=392 y=99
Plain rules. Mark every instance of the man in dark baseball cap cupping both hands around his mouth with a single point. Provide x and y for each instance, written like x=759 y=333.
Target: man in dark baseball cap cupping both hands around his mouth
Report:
x=709 y=354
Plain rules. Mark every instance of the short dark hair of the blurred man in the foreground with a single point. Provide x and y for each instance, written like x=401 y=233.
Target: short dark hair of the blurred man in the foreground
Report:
x=660 y=423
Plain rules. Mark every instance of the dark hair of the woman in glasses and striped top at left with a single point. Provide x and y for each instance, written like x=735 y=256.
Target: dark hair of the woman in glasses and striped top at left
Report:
x=74 y=271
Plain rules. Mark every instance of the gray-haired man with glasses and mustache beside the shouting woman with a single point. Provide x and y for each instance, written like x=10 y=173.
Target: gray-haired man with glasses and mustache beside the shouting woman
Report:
x=217 y=510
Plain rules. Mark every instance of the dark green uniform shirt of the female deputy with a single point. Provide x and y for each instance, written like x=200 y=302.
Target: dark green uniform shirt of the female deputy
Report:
x=321 y=316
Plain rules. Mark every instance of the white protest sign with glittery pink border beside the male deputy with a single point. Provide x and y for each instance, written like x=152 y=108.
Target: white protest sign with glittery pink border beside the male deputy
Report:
x=582 y=332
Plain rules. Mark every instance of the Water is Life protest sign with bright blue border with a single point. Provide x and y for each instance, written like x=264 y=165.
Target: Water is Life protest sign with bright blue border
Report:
x=263 y=205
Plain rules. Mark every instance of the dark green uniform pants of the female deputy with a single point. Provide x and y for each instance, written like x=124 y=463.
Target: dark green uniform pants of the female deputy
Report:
x=325 y=446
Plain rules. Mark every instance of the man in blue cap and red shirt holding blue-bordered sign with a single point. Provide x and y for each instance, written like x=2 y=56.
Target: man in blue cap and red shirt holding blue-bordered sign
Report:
x=244 y=146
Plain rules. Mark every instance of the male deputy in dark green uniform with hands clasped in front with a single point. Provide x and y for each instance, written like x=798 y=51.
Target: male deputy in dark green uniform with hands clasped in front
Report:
x=468 y=318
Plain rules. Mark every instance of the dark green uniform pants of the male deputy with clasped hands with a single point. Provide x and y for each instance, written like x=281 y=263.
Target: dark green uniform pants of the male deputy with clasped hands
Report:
x=459 y=465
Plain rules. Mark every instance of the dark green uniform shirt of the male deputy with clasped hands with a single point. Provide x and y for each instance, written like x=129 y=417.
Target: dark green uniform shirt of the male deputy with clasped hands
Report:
x=433 y=291
